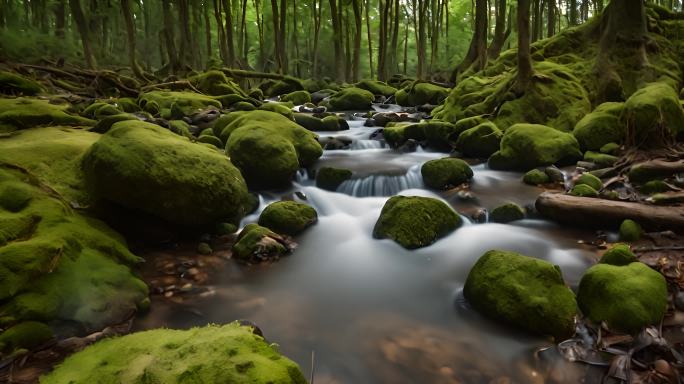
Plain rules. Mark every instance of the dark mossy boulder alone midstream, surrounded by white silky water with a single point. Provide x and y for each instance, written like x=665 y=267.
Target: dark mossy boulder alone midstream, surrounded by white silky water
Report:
x=414 y=221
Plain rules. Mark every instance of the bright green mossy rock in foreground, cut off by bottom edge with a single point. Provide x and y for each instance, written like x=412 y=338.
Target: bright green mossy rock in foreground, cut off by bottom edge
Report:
x=228 y=353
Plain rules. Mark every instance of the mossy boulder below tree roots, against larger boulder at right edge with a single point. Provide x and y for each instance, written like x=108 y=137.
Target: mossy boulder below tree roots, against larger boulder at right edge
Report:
x=600 y=127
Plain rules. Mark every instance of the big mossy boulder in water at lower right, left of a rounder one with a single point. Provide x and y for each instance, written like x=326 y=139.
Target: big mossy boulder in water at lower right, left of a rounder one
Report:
x=522 y=291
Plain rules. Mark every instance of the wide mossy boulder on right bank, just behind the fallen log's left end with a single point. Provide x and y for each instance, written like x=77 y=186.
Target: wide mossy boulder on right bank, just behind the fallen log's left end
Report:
x=526 y=146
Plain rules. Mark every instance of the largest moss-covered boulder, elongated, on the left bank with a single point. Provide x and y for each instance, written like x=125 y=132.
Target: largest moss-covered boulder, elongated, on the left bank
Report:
x=145 y=167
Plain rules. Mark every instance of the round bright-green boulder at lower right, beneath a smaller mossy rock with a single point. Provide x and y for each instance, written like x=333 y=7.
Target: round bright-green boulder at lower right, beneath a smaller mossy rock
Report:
x=625 y=297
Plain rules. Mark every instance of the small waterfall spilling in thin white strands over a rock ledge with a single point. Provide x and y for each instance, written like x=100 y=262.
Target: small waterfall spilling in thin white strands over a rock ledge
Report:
x=383 y=185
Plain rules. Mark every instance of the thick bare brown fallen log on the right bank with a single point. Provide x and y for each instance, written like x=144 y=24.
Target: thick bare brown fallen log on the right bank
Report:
x=600 y=213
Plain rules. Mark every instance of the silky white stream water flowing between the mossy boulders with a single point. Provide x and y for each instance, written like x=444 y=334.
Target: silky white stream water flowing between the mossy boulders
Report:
x=369 y=311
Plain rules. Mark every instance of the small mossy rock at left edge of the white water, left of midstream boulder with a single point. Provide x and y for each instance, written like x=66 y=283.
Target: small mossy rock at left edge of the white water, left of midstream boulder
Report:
x=288 y=217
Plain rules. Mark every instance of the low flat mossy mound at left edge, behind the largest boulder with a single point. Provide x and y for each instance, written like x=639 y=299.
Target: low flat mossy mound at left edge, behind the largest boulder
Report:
x=24 y=112
